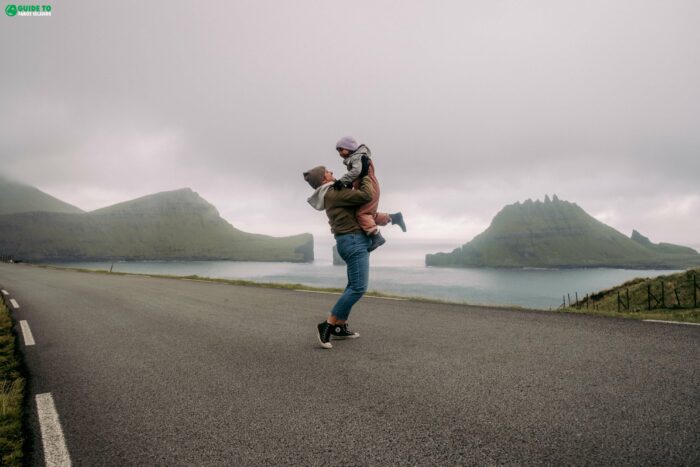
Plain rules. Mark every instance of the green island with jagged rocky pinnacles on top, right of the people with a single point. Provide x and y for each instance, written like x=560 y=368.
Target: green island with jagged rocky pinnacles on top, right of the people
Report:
x=557 y=233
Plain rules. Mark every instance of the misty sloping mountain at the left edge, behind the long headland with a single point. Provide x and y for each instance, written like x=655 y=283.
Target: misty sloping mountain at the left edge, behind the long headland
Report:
x=17 y=197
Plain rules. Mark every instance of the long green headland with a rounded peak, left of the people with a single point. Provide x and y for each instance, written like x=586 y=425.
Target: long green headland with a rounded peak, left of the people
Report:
x=174 y=225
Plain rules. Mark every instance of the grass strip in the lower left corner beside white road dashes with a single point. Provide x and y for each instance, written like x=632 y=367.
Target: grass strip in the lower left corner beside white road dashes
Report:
x=12 y=387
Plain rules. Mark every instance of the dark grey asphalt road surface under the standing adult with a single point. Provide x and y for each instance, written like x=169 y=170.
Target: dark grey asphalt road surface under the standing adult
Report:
x=148 y=371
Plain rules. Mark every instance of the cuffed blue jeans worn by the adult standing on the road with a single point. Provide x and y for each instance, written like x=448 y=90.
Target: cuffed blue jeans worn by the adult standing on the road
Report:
x=353 y=249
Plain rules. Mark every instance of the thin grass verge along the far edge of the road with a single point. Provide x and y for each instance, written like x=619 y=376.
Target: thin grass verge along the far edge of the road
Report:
x=691 y=316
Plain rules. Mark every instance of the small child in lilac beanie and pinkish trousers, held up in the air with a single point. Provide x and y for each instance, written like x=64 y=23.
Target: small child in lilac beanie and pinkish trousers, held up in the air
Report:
x=367 y=215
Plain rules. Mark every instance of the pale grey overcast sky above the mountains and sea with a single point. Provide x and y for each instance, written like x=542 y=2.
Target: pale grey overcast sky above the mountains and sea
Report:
x=466 y=105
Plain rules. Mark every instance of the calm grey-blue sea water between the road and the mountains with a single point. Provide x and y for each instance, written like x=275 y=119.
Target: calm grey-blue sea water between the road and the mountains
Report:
x=530 y=288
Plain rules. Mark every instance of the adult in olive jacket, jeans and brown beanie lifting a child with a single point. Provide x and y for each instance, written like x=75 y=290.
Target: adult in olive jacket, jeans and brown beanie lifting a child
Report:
x=351 y=241
